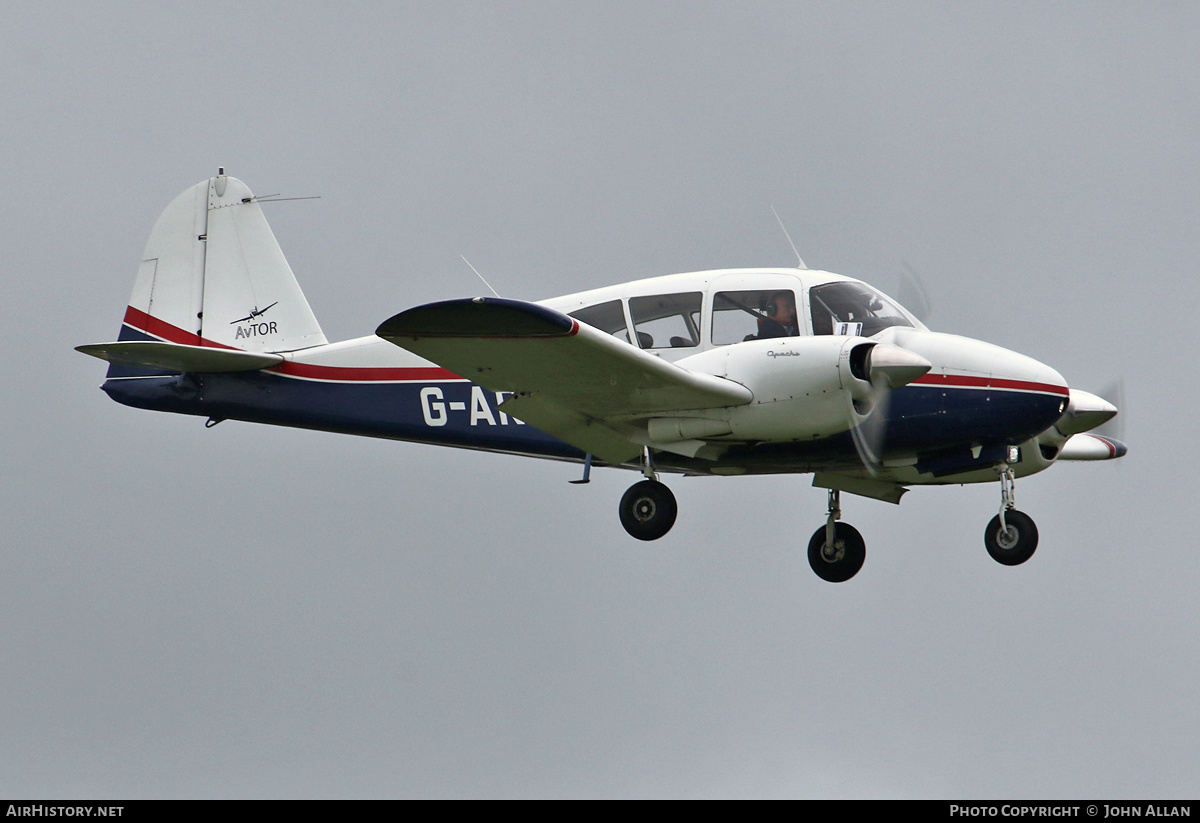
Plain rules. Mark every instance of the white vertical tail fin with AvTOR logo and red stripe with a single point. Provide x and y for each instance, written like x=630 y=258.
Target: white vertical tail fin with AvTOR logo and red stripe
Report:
x=213 y=274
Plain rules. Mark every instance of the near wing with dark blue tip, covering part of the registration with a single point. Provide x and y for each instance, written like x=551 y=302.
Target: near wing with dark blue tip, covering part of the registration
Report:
x=567 y=377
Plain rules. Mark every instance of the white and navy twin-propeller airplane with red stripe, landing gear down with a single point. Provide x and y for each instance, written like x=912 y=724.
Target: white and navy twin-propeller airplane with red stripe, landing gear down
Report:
x=731 y=373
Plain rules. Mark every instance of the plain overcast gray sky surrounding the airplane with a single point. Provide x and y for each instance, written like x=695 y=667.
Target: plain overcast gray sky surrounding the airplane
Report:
x=261 y=612
